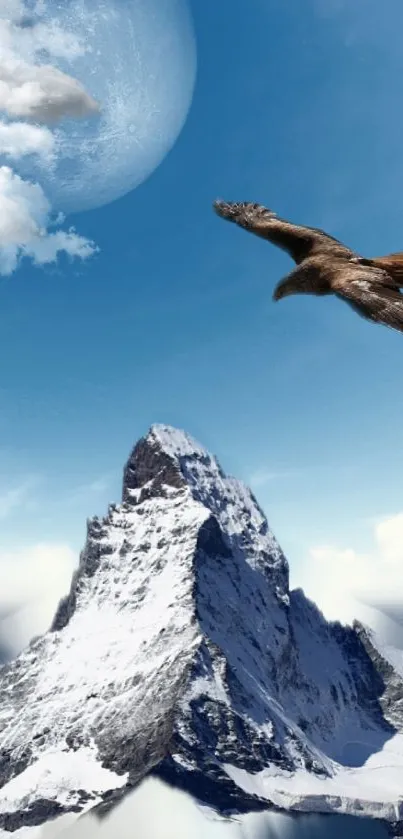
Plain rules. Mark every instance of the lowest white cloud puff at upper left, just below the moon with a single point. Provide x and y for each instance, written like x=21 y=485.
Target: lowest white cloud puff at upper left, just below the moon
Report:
x=24 y=221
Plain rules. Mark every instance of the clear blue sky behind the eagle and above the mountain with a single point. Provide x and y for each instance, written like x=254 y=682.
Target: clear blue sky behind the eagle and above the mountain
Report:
x=296 y=105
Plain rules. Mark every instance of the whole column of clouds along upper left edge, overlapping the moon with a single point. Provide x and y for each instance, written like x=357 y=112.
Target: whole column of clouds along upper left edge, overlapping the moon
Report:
x=30 y=90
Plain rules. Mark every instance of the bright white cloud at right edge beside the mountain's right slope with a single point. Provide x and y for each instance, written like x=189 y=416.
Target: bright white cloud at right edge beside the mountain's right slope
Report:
x=343 y=581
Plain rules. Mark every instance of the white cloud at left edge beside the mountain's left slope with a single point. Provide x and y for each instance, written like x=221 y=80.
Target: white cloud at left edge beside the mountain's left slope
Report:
x=32 y=581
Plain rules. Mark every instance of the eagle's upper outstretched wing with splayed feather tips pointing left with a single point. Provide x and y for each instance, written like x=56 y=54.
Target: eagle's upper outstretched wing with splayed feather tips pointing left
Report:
x=300 y=242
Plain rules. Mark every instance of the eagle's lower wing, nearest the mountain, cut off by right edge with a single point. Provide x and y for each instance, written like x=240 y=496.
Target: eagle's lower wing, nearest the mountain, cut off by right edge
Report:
x=377 y=300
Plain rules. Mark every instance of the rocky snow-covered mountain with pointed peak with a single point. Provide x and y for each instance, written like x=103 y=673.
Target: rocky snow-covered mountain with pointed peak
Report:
x=180 y=651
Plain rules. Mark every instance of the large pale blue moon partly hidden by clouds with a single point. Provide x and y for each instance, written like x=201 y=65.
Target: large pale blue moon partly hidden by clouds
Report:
x=139 y=64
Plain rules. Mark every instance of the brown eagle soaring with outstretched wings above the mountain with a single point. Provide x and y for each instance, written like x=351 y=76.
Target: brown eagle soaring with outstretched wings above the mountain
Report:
x=372 y=287
